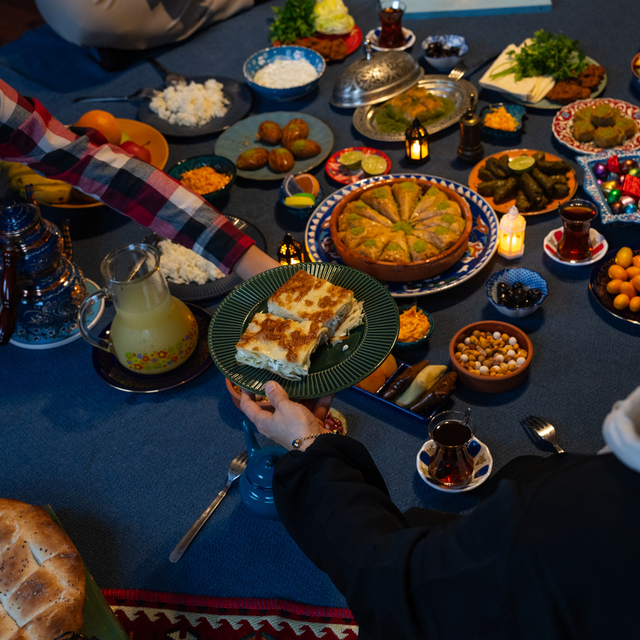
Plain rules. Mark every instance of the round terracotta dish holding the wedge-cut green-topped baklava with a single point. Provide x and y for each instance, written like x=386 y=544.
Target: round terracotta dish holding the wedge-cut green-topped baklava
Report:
x=397 y=272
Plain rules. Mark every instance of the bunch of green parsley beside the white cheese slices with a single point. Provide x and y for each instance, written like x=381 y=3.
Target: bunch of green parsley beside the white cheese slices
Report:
x=547 y=55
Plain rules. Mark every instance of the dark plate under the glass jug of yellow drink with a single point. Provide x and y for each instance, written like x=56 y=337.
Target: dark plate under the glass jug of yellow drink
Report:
x=115 y=375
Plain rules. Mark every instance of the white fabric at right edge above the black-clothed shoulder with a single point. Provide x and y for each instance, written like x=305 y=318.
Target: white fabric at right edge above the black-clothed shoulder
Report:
x=621 y=430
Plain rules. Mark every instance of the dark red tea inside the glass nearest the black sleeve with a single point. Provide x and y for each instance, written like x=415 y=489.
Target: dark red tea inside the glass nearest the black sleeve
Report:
x=451 y=463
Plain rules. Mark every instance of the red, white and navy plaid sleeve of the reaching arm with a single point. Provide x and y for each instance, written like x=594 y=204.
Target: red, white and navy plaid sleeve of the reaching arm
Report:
x=31 y=135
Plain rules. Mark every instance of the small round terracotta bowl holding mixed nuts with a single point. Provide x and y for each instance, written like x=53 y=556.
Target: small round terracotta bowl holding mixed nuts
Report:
x=488 y=384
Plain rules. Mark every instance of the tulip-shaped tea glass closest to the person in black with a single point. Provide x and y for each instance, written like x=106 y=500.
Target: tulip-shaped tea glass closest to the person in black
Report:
x=451 y=464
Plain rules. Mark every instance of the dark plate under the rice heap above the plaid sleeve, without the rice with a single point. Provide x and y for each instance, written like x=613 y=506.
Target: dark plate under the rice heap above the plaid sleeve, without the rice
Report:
x=238 y=95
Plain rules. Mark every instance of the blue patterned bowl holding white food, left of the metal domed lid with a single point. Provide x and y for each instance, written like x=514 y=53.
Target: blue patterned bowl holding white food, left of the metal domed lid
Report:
x=264 y=57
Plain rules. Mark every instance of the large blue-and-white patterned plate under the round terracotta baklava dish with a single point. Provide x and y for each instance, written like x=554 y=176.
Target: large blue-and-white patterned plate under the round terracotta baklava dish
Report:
x=483 y=239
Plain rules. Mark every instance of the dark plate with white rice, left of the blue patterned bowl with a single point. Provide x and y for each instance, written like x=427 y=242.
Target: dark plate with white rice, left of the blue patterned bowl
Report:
x=203 y=107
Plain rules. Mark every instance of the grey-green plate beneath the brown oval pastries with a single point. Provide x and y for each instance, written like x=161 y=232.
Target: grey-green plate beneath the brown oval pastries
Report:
x=243 y=135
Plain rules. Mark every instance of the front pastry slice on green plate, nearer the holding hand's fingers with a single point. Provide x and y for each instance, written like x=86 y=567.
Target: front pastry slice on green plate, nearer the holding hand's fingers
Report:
x=280 y=345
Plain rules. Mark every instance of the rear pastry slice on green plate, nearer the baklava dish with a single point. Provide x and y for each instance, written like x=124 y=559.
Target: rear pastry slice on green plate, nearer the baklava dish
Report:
x=305 y=297
